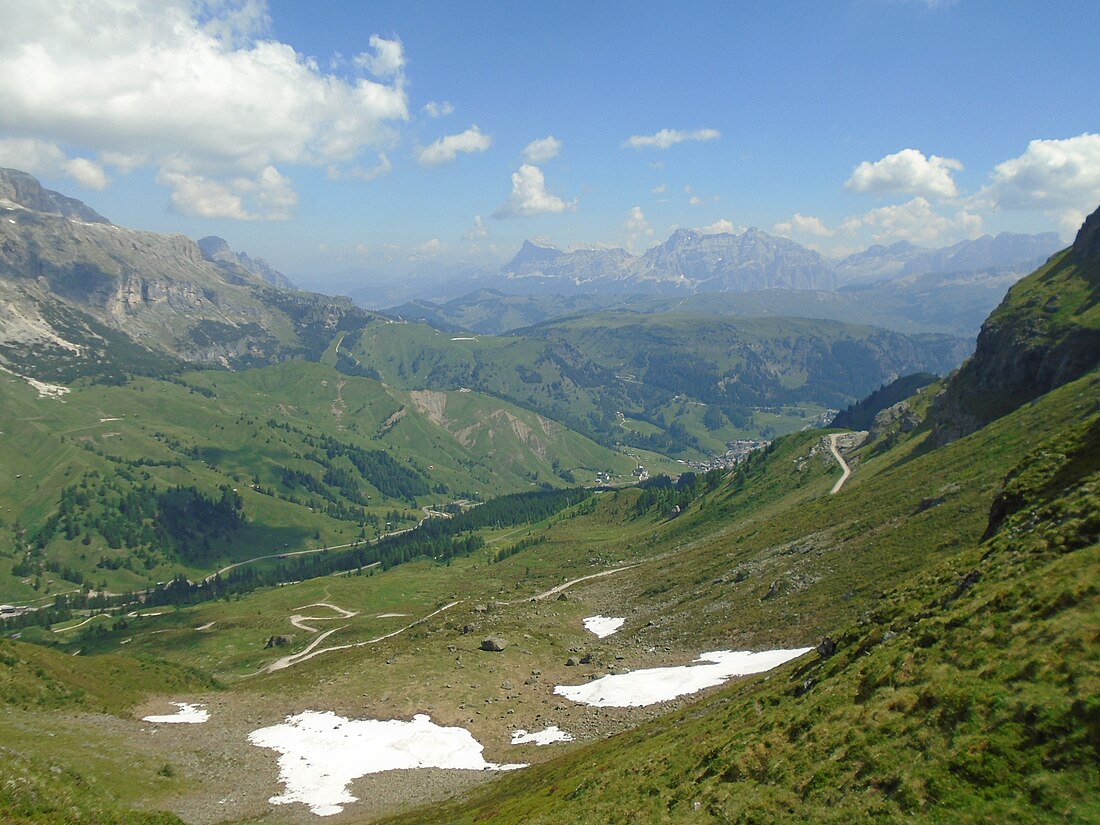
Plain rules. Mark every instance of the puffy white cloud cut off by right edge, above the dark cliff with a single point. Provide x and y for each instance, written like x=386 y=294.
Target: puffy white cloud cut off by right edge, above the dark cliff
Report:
x=1053 y=175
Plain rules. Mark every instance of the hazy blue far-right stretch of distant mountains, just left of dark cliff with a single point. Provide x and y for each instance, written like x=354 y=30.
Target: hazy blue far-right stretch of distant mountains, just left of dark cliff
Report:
x=1007 y=252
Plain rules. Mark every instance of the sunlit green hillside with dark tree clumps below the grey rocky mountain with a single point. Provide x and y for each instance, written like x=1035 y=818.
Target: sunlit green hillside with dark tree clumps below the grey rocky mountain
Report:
x=105 y=486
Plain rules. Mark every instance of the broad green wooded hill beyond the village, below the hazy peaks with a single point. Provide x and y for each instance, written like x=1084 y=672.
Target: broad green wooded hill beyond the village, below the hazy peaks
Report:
x=680 y=384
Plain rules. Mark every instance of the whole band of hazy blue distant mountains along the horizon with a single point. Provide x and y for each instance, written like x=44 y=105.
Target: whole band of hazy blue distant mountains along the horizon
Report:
x=904 y=288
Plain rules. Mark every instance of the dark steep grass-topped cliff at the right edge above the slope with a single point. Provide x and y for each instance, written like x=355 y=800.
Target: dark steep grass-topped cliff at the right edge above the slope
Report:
x=1046 y=333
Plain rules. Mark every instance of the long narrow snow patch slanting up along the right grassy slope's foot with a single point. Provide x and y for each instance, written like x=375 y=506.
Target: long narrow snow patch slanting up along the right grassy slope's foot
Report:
x=652 y=686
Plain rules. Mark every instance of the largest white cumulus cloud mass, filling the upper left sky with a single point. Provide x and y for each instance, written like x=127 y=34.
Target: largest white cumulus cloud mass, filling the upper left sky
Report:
x=192 y=91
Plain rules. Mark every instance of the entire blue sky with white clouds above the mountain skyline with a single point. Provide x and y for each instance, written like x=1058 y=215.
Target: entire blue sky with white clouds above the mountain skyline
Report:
x=384 y=138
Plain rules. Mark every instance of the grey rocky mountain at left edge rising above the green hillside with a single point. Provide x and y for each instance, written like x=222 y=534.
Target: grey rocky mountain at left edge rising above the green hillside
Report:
x=81 y=296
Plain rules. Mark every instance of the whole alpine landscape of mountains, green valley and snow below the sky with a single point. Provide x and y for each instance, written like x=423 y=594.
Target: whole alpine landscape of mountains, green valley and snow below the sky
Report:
x=584 y=540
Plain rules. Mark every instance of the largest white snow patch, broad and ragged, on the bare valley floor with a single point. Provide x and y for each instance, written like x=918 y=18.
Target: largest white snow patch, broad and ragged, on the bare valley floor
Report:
x=322 y=754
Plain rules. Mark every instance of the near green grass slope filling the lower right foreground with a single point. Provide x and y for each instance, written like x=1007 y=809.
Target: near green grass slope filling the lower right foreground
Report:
x=966 y=694
